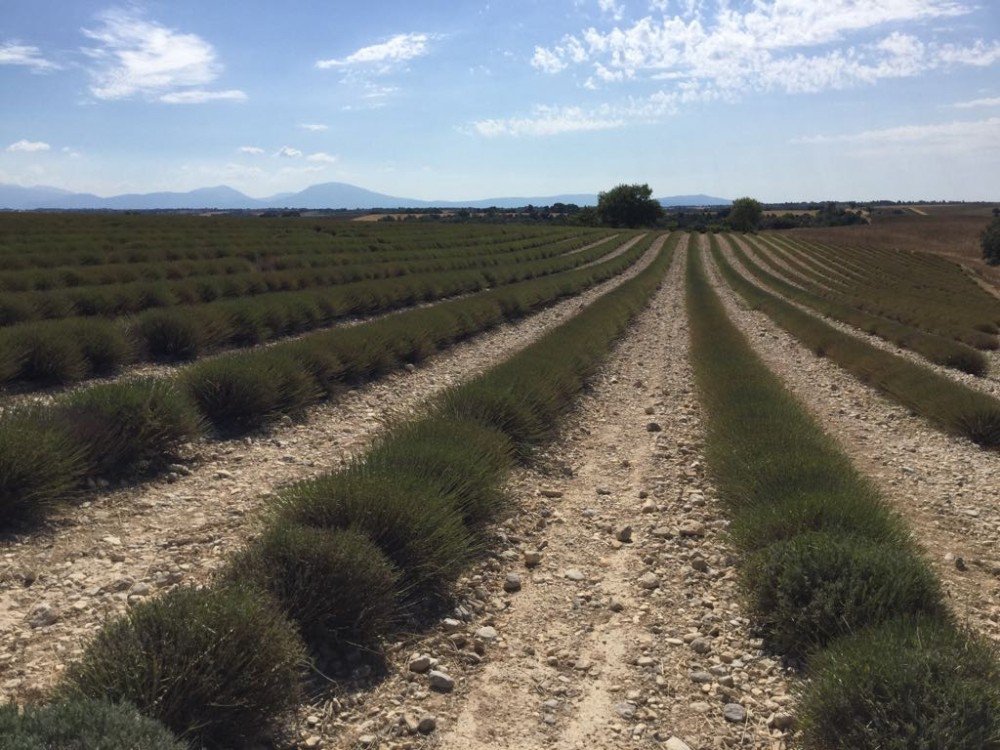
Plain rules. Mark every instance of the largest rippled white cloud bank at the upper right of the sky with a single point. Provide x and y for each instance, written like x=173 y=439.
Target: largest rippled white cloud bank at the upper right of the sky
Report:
x=781 y=45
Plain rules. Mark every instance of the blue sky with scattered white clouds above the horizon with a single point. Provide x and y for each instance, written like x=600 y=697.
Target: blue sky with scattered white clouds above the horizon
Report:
x=446 y=99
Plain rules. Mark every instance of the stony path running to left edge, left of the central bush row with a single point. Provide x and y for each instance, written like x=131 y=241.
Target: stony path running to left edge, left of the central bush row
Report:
x=58 y=584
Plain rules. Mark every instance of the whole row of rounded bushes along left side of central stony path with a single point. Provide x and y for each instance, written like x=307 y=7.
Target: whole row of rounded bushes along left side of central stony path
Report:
x=346 y=556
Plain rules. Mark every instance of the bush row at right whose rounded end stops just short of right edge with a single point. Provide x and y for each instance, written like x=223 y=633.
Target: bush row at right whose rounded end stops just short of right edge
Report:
x=937 y=349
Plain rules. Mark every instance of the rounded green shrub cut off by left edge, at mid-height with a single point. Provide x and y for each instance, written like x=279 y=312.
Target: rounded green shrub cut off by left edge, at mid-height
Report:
x=40 y=466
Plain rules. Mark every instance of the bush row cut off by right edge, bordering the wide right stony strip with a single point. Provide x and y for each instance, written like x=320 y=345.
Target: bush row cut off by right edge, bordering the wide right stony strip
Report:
x=951 y=405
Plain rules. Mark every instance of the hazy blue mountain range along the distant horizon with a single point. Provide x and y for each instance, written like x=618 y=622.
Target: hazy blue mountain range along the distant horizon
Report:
x=329 y=195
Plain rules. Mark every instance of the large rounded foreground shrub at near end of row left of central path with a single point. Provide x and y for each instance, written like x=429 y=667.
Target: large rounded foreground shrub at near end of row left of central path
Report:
x=215 y=666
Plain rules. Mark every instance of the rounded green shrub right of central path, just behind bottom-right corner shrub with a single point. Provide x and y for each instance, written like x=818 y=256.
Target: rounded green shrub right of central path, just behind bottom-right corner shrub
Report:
x=813 y=588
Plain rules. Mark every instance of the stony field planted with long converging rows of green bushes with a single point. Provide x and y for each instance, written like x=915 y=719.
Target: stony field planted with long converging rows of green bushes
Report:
x=293 y=482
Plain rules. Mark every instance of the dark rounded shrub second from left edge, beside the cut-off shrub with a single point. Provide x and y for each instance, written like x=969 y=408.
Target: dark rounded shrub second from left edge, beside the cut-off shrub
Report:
x=123 y=425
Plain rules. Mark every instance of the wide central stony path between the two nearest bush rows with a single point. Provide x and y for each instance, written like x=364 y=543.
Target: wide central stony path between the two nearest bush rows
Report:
x=606 y=643
